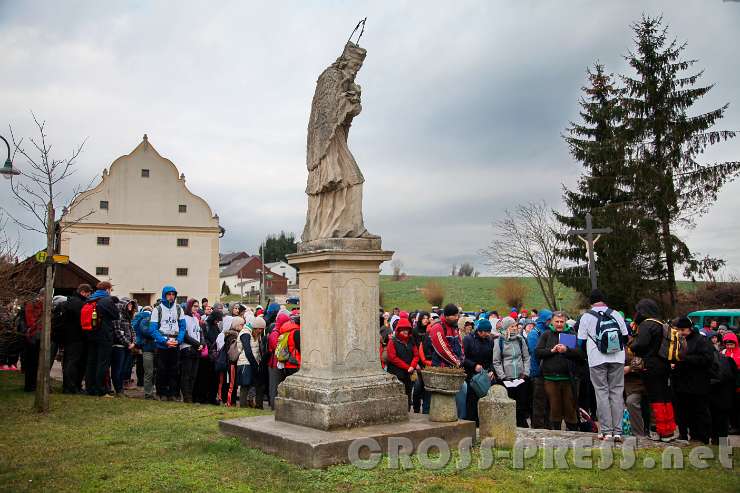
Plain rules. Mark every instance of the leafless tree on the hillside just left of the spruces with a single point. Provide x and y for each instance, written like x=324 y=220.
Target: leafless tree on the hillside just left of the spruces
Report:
x=525 y=243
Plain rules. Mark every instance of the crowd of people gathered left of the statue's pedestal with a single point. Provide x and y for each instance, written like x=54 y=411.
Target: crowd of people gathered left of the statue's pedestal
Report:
x=190 y=352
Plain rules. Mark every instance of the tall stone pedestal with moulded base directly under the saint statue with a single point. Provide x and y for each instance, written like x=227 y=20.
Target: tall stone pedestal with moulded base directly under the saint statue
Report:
x=340 y=383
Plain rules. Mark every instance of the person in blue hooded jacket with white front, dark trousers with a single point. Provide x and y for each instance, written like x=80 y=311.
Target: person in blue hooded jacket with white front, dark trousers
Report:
x=167 y=328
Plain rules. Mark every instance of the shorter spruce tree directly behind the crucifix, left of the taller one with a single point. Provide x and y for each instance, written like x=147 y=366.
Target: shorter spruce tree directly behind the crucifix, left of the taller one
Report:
x=604 y=189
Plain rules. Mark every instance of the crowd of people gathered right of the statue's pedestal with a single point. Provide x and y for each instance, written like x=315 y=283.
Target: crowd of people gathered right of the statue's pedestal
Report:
x=600 y=372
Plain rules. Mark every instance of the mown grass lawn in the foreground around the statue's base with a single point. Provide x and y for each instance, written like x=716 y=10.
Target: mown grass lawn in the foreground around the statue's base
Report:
x=94 y=444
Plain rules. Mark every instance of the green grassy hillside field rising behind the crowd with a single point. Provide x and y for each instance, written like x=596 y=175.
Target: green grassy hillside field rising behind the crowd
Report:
x=474 y=292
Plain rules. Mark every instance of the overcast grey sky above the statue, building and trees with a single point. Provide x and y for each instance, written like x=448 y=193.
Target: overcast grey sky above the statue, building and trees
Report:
x=464 y=103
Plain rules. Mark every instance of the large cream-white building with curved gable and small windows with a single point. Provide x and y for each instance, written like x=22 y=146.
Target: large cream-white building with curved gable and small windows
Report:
x=141 y=228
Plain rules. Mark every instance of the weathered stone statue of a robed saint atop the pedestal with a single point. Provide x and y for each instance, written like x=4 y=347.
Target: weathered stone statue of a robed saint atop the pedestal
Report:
x=334 y=180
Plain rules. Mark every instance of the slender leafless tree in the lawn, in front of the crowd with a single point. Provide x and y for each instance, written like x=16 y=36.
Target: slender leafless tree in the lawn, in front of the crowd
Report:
x=36 y=191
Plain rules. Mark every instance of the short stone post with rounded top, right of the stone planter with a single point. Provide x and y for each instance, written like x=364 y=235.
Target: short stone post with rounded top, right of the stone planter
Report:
x=497 y=414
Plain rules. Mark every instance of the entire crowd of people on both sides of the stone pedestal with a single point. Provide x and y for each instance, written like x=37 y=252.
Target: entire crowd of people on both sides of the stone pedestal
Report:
x=600 y=372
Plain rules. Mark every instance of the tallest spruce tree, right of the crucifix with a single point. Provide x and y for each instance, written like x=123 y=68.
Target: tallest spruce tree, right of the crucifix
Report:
x=670 y=185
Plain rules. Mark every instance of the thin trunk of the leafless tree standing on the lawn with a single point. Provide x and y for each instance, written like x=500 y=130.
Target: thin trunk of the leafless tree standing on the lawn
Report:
x=41 y=403
